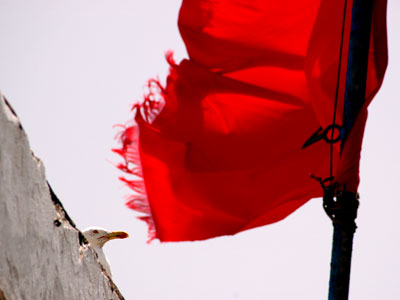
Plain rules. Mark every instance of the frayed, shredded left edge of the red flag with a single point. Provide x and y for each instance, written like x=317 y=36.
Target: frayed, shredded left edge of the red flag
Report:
x=147 y=111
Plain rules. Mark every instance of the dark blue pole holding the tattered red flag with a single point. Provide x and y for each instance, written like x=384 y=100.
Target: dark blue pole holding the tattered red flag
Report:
x=343 y=210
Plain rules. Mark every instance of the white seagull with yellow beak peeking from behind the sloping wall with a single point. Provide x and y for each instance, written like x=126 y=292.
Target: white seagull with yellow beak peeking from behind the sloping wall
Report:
x=97 y=237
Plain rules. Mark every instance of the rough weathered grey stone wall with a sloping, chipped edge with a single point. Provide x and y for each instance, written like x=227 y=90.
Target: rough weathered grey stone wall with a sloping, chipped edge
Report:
x=42 y=254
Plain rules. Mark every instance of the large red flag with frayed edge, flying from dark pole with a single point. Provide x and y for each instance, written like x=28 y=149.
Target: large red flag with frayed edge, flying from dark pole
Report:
x=232 y=141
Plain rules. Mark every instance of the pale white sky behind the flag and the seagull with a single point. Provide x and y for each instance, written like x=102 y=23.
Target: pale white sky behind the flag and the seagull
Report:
x=71 y=69
